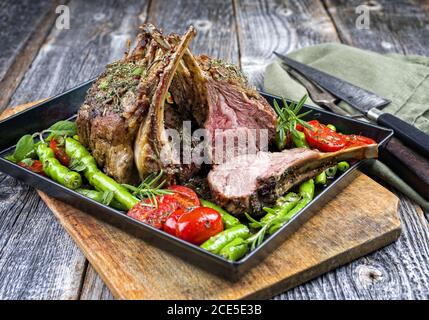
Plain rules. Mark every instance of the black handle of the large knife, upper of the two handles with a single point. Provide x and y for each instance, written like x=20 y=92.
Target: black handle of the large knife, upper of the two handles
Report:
x=407 y=133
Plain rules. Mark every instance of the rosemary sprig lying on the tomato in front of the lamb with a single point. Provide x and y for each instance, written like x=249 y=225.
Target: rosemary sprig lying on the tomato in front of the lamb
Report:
x=150 y=188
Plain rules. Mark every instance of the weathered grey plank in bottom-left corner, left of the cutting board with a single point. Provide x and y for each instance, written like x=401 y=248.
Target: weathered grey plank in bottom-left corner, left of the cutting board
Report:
x=38 y=259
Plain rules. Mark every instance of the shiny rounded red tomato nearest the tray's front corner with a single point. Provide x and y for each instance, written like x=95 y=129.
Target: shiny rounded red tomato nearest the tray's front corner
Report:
x=199 y=225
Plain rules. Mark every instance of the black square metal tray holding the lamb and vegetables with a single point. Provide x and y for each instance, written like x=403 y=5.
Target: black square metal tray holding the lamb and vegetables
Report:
x=66 y=105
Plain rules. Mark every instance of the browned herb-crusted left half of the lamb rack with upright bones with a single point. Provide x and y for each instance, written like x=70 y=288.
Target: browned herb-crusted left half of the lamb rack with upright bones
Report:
x=122 y=119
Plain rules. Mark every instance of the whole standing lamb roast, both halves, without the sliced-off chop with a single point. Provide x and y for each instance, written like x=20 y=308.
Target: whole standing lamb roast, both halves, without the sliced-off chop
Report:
x=123 y=120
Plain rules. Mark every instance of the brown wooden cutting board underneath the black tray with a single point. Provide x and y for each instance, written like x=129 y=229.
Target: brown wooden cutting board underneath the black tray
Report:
x=361 y=219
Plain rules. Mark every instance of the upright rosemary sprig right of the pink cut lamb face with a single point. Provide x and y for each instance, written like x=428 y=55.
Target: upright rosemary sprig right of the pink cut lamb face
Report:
x=288 y=117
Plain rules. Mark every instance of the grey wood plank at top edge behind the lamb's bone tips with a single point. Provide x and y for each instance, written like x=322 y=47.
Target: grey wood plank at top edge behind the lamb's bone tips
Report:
x=213 y=19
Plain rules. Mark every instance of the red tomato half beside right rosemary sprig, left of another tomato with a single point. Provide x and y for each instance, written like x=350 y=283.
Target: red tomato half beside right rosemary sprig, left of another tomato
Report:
x=323 y=138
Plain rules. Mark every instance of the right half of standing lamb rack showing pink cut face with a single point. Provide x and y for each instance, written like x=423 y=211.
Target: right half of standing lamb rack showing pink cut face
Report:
x=217 y=95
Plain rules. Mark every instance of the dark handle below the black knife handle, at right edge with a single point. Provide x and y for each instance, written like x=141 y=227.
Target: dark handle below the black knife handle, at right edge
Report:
x=412 y=167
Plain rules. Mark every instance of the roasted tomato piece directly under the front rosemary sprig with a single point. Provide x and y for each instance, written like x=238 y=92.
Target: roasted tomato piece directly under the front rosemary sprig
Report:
x=154 y=215
